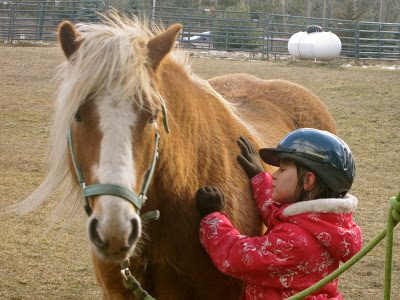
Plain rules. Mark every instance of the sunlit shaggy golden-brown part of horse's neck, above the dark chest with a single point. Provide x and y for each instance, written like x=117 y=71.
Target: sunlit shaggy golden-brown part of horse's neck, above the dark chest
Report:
x=203 y=133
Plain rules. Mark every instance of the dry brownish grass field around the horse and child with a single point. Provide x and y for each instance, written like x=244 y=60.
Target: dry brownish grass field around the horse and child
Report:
x=39 y=264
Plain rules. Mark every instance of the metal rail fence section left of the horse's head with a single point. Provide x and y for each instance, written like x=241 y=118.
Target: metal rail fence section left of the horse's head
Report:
x=31 y=20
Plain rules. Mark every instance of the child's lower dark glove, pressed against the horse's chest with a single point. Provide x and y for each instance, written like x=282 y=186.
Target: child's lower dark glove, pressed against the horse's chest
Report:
x=209 y=199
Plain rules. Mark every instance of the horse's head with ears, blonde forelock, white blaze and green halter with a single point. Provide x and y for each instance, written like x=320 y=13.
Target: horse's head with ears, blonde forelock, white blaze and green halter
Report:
x=108 y=88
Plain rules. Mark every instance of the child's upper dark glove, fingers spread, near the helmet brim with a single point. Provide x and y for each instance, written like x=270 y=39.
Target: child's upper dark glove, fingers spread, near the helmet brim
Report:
x=248 y=158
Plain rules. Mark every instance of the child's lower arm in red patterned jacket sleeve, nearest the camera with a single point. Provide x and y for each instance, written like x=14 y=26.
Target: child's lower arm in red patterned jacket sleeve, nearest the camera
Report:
x=251 y=258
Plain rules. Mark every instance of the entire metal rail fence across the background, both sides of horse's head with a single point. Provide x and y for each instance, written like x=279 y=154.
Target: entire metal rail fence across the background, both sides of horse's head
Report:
x=254 y=32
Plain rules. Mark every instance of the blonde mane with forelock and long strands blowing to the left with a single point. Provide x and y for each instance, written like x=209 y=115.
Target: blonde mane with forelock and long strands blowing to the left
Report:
x=111 y=57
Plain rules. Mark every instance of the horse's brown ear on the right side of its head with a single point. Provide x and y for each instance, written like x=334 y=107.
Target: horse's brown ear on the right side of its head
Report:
x=161 y=44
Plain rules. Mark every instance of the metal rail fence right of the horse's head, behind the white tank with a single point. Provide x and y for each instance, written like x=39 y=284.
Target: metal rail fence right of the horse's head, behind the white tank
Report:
x=269 y=34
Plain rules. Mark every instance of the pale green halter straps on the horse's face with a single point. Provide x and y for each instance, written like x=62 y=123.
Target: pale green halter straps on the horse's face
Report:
x=118 y=190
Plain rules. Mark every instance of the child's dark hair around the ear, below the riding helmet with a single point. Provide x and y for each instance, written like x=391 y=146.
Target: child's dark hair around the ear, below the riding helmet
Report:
x=320 y=190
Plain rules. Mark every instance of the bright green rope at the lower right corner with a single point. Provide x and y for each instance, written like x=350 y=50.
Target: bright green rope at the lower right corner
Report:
x=393 y=219
